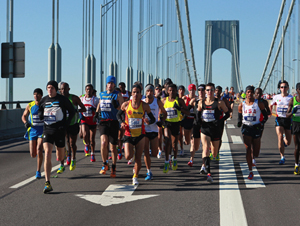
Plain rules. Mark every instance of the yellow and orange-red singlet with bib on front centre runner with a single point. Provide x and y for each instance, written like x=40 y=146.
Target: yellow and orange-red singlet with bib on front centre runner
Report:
x=134 y=120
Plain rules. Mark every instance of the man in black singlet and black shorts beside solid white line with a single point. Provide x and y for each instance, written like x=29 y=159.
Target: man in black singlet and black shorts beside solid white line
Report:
x=209 y=111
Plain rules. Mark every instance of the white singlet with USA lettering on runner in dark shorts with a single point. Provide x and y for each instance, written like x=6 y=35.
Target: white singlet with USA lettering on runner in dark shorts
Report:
x=251 y=113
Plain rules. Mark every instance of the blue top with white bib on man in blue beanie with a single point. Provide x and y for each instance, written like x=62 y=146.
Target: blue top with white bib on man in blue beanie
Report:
x=108 y=112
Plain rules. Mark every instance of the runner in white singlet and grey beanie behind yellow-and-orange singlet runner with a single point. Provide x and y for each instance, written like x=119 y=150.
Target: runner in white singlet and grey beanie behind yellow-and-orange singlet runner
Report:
x=151 y=139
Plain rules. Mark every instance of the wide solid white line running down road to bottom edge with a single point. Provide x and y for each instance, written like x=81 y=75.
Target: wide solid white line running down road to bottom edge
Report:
x=232 y=210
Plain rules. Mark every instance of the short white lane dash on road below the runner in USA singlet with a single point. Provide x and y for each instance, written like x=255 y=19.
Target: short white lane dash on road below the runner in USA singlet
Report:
x=256 y=182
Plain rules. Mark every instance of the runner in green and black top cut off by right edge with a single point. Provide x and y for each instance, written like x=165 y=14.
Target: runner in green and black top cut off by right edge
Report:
x=294 y=110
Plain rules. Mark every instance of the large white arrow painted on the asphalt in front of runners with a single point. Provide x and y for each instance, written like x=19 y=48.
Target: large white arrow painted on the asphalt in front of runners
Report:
x=115 y=194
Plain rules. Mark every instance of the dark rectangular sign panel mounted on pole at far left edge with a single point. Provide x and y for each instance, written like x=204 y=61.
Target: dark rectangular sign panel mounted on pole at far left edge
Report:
x=19 y=60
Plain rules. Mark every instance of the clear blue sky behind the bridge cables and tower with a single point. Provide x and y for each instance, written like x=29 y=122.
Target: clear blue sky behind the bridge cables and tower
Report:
x=33 y=25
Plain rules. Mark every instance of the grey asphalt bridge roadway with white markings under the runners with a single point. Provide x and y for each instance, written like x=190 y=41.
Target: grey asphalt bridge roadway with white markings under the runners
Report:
x=179 y=197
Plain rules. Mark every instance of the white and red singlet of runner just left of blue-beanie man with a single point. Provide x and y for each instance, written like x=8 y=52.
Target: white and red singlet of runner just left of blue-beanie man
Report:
x=89 y=103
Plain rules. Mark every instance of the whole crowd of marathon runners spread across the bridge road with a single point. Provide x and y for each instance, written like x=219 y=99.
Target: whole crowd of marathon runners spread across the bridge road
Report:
x=155 y=123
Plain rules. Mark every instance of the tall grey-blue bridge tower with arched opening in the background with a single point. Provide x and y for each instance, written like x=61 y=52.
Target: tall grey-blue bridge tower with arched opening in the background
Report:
x=223 y=34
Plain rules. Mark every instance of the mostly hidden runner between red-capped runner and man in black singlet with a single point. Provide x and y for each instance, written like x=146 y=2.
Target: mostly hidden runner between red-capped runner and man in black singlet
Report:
x=195 y=142
